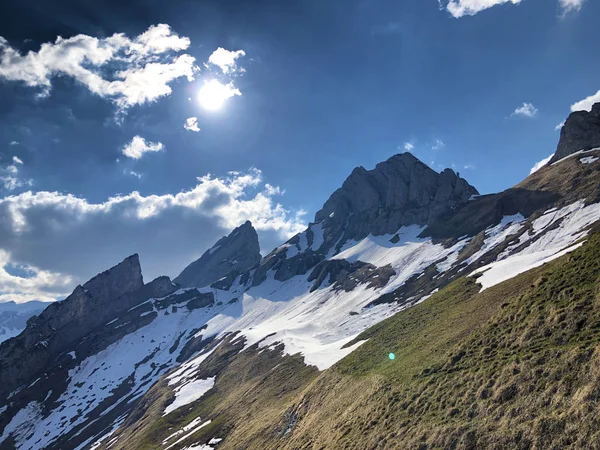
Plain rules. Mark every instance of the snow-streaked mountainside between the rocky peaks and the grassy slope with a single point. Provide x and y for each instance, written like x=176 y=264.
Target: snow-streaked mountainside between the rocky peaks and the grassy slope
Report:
x=312 y=295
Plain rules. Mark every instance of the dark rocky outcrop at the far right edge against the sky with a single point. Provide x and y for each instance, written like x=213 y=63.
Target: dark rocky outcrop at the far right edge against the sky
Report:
x=580 y=132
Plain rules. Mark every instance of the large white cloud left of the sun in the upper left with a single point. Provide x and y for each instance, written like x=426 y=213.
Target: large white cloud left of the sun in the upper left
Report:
x=127 y=71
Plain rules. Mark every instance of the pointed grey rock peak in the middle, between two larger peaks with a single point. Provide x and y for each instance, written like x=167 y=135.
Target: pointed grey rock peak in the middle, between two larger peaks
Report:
x=237 y=252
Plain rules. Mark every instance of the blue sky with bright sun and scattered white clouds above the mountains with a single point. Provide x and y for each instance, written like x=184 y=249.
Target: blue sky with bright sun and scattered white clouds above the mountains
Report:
x=157 y=127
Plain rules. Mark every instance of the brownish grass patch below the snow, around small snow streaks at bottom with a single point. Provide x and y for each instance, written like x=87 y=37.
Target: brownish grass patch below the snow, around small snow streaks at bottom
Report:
x=255 y=383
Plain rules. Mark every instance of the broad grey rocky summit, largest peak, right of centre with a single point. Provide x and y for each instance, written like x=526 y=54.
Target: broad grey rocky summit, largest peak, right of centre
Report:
x=400 y=191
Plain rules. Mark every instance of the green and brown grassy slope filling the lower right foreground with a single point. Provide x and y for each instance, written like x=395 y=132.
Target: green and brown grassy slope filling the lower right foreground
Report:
x=517 y=366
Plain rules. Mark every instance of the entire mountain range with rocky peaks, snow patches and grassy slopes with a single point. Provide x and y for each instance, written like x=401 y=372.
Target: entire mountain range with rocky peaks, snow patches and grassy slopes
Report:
x=412 y=313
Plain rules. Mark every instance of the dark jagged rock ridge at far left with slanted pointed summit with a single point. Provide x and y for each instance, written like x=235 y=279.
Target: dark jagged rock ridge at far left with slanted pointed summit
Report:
x=63 y=323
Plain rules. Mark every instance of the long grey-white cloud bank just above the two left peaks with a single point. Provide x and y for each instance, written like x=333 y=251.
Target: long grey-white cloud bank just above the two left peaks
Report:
x=168 y=231
